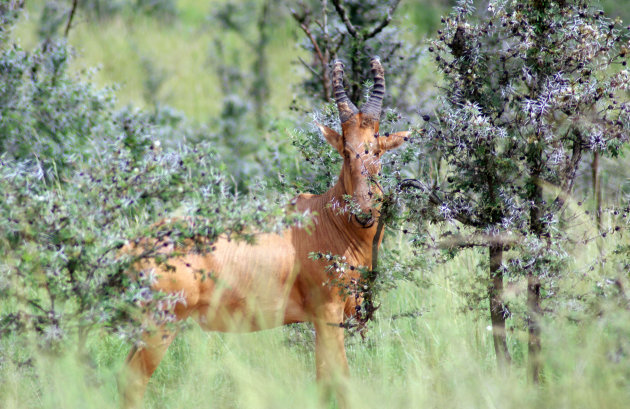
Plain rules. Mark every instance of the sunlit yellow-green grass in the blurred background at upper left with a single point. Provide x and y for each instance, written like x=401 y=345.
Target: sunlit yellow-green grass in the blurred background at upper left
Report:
x=133 y=51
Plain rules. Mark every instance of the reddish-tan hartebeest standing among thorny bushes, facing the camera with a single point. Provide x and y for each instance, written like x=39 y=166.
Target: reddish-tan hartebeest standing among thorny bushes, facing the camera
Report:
x=274 y=282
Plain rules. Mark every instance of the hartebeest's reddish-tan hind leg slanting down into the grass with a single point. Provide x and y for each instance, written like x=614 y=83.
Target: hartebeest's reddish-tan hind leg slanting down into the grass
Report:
x=140 y=365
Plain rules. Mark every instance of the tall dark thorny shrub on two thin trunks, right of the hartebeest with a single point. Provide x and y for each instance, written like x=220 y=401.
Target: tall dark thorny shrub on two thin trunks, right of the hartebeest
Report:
x=530 y=88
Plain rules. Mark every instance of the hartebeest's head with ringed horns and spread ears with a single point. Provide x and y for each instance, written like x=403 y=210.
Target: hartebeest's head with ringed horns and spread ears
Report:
x=360 y=143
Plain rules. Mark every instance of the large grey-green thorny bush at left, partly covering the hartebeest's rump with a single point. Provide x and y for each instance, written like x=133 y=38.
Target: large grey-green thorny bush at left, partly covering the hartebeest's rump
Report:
x=79 y=179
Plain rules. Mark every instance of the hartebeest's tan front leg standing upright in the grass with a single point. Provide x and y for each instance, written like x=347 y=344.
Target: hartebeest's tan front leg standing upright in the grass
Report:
x=330 y=352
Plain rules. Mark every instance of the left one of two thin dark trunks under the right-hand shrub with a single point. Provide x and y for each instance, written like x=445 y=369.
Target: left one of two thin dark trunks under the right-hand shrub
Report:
x=497 y=310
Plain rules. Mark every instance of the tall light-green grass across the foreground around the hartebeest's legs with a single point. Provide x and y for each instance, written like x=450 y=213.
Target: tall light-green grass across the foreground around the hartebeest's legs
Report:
x=442 y=359
